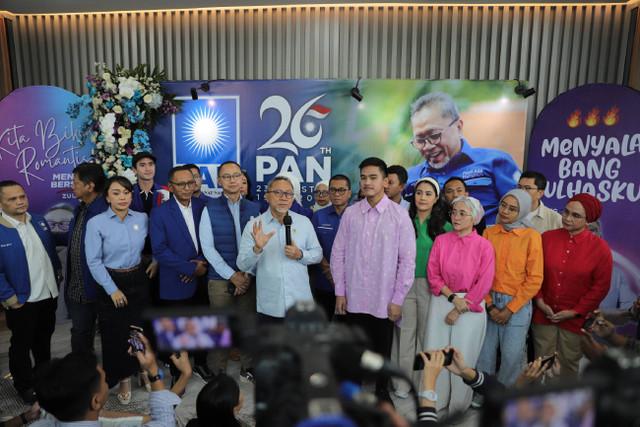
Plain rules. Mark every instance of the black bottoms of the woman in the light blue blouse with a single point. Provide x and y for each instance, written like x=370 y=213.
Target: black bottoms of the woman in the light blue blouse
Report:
x=114 y=323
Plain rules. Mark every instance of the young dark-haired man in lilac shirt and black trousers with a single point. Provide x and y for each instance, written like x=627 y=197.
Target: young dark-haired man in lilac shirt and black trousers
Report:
x=373 y=261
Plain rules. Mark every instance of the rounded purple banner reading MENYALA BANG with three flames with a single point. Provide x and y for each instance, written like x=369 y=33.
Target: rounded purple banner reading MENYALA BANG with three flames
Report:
x=588 y=141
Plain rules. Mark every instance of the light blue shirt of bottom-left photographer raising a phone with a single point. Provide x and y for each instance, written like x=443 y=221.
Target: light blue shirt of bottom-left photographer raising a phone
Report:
x=162 y=413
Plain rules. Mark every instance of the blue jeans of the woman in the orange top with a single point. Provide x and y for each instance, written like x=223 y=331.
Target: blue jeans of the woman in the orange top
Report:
x=511 y=338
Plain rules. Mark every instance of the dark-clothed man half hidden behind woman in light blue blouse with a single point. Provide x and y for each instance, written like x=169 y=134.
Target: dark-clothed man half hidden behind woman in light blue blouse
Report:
x=80 y=292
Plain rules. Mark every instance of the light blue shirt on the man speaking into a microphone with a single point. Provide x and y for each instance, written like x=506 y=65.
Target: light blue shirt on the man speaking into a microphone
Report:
x=280 y=281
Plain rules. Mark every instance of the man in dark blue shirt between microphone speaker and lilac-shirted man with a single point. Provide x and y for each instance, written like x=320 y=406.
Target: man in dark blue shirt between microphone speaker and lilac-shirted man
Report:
x=326 y=222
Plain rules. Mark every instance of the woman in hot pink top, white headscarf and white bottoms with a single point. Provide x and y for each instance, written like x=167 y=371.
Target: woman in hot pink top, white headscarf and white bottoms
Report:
x=460 y=272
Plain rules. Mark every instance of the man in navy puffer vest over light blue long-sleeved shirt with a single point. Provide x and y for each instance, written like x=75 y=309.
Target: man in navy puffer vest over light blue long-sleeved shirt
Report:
x=221 y=227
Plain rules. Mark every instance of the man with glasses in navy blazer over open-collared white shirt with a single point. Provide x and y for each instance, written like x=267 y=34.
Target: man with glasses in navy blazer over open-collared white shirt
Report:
x=173 y=227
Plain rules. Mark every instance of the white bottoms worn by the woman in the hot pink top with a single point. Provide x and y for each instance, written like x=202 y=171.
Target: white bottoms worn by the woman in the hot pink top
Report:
x=466 y=335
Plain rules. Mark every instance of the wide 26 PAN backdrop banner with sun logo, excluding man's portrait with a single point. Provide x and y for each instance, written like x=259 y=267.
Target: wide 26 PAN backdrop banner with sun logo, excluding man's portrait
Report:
x=314 y=128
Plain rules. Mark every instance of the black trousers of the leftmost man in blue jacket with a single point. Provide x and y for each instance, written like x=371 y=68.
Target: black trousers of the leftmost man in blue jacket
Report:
x=31 y=328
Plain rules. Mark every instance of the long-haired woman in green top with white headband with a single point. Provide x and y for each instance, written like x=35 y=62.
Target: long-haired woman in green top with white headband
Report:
x=427 y=211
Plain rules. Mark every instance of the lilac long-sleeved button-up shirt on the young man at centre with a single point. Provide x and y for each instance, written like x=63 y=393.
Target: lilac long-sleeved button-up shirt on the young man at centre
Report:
x=373 y=257
